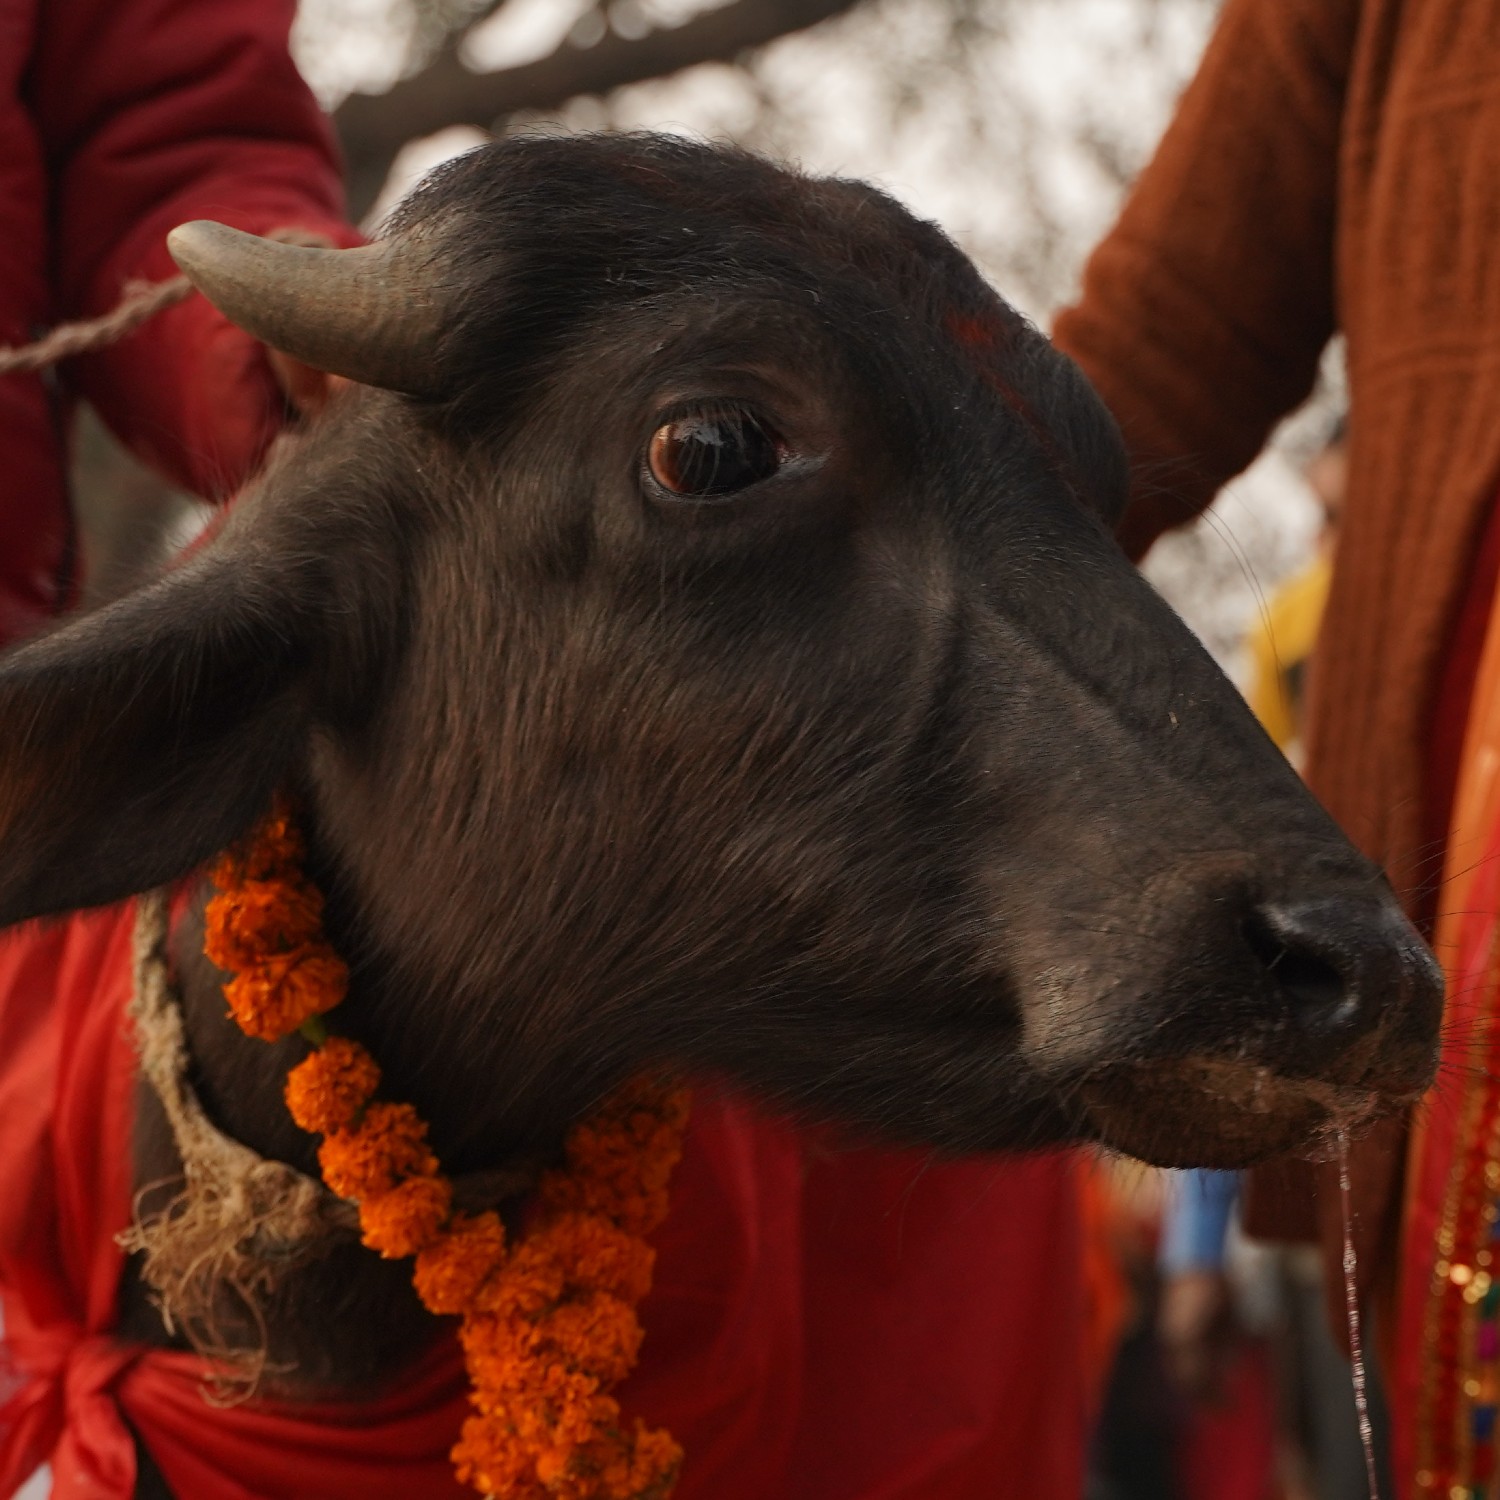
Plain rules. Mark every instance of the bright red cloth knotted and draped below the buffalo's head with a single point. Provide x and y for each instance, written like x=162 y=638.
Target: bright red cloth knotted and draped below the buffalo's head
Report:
x=826 y=1325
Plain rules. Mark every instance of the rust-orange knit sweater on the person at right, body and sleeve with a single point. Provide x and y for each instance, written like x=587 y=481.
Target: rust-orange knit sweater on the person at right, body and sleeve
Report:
x=1336 y=164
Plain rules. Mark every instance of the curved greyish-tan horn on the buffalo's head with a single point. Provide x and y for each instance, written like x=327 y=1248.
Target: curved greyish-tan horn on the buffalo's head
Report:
x=361 y=313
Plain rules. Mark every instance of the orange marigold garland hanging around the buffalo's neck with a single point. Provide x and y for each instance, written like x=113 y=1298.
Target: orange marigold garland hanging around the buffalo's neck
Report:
x=550 y=1325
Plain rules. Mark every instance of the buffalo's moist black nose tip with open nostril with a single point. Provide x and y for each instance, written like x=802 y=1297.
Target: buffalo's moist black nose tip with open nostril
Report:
x=1345 y=968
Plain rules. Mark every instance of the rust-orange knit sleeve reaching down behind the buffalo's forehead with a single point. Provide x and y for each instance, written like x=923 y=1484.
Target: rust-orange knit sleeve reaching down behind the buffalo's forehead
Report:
x=1207 y=308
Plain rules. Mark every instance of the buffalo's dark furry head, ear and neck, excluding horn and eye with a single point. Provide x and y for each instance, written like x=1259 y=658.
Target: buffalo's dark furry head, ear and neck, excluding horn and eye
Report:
x=886 y=790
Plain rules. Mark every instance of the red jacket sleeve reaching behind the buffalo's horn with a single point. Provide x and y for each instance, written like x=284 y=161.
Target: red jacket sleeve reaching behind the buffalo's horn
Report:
x=152 y=113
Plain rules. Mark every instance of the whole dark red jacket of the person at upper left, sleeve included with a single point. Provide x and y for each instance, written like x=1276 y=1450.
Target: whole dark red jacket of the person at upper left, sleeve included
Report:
x=121 y=119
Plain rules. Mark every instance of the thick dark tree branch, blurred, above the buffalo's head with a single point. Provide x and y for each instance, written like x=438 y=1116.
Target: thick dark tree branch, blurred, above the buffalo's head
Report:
x=376 y=127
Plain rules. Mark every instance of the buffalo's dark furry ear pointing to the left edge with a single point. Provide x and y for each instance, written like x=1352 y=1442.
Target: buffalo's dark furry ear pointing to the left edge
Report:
x=139 y=742
